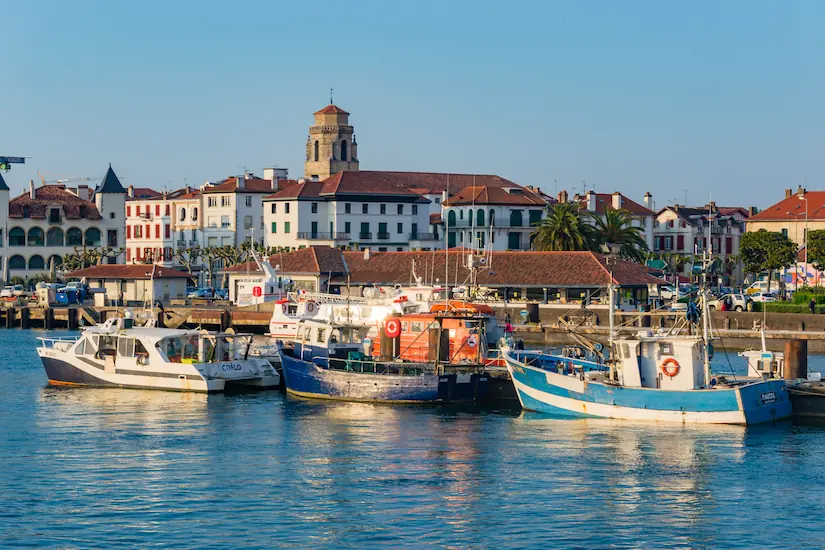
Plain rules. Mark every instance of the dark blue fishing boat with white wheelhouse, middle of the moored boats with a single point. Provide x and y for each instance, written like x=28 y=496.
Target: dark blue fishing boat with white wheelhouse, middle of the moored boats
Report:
x=334 y=360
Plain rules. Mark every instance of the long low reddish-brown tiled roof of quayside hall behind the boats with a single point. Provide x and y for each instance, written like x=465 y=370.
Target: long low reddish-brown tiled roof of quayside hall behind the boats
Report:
x=543 y=269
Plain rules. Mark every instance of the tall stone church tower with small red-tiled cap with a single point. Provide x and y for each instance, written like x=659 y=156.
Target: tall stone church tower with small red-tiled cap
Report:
x=330 y=146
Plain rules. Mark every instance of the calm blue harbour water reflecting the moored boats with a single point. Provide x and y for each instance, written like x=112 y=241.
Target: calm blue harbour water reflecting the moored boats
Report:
x=82 y=468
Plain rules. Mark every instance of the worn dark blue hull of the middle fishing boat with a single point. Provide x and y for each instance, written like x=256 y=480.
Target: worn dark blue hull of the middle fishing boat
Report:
x=306 y=379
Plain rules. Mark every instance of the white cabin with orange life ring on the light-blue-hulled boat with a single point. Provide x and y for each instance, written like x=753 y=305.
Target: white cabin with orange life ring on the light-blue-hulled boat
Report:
x=668 y=363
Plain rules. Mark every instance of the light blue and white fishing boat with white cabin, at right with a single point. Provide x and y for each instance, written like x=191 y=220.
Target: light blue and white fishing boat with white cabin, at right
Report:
x=662 y=376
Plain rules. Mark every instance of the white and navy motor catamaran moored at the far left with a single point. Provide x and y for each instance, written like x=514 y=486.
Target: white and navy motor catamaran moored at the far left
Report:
x=119 y=354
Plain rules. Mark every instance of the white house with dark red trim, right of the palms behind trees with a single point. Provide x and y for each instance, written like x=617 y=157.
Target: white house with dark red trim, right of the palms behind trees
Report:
x=681 y=232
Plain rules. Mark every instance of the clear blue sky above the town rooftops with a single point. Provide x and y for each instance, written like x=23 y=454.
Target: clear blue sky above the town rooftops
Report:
x=716 y=97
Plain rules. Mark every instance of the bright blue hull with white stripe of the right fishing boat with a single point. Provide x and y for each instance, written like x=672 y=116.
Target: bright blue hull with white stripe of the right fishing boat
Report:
x=545 y=391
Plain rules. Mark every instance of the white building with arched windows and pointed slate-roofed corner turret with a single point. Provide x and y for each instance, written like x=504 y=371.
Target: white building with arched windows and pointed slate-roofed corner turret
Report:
x=47 y=222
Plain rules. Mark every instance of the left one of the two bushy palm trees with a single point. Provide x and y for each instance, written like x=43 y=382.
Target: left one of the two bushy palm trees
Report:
x=564 y=228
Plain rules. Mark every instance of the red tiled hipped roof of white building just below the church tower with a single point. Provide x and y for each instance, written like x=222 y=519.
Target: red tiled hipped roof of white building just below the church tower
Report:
x=347 y=183
